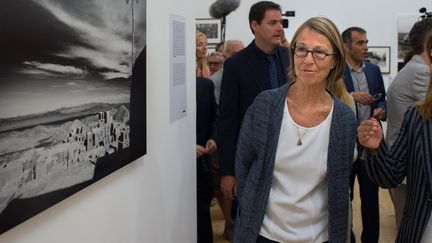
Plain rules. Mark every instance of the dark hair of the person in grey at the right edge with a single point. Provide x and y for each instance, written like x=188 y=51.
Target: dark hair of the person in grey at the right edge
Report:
x=419 y=34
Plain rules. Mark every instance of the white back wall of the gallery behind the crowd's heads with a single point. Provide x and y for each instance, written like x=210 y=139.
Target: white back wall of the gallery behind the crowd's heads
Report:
x=378 y=18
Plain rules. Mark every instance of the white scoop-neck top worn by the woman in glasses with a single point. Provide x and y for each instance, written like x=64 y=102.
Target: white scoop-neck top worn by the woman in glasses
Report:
x=297 y=208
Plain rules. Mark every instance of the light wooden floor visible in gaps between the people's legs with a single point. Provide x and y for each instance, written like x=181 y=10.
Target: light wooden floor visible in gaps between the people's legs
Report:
x=387 y=219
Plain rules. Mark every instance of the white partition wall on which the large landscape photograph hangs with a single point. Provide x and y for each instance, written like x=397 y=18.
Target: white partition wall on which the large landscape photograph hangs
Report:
x=153 y=198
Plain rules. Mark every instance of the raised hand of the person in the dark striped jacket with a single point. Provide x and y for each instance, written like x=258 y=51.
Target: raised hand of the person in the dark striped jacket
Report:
x=370 y=133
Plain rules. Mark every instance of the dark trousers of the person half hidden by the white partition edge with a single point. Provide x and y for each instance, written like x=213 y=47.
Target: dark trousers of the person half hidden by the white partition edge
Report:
x=204 y=198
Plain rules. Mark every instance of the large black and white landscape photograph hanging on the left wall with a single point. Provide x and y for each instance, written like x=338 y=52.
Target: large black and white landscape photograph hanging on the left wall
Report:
x=72 y=98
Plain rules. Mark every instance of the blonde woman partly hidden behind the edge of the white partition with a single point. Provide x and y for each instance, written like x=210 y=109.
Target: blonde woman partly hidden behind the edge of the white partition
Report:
x=202 y=69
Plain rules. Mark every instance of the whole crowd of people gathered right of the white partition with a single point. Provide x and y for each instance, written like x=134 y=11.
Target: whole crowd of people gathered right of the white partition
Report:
x=285 y=127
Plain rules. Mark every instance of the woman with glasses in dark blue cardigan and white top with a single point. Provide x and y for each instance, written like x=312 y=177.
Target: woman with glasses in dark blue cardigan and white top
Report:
x=296 y=147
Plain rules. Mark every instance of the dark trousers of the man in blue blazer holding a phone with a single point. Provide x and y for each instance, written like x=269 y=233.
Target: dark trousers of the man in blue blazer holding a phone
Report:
x=369 y=204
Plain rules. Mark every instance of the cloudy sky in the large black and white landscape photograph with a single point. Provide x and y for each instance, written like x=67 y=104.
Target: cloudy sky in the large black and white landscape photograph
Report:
x=57 y=53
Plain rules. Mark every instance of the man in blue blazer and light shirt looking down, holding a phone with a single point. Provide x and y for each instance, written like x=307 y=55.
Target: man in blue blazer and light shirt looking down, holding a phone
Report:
x=364 y=81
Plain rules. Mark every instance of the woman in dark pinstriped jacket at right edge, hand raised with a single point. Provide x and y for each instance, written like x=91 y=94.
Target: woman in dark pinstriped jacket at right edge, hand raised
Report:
x=410 y=156
